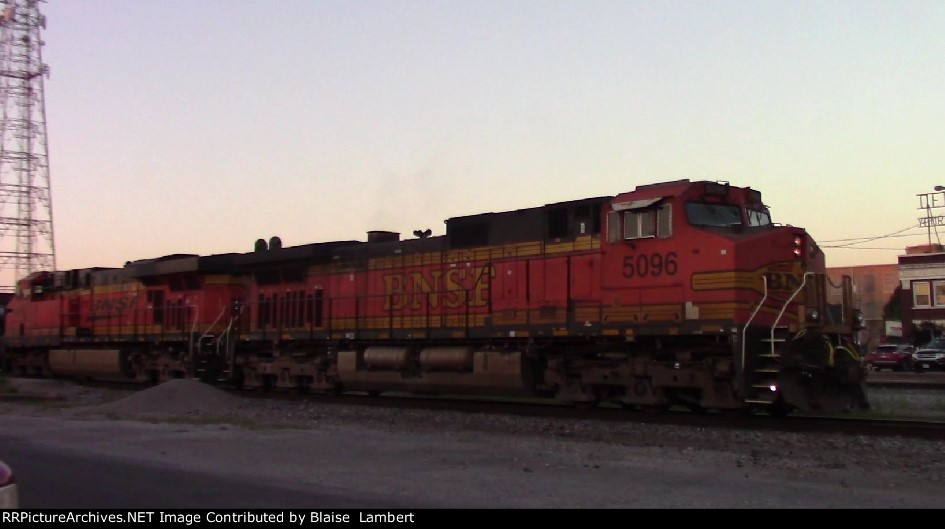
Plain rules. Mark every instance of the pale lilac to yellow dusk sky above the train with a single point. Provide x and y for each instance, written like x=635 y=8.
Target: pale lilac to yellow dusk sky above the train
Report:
x=198 y=127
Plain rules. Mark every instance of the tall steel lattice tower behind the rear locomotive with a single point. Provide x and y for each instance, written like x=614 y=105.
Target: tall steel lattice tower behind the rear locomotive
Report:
x=26 y=229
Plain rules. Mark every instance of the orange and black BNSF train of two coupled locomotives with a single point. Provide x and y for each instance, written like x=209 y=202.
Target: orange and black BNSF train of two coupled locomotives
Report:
x=678 y=293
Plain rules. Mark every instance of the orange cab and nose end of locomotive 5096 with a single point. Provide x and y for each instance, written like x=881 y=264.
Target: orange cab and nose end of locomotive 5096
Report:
x=707 y=265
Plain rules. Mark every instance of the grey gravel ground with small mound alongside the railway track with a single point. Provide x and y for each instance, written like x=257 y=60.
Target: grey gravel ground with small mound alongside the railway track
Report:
x=459 y=459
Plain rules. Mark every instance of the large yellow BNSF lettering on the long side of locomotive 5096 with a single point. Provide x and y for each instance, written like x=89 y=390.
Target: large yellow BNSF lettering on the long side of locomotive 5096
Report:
x=454 y=288
